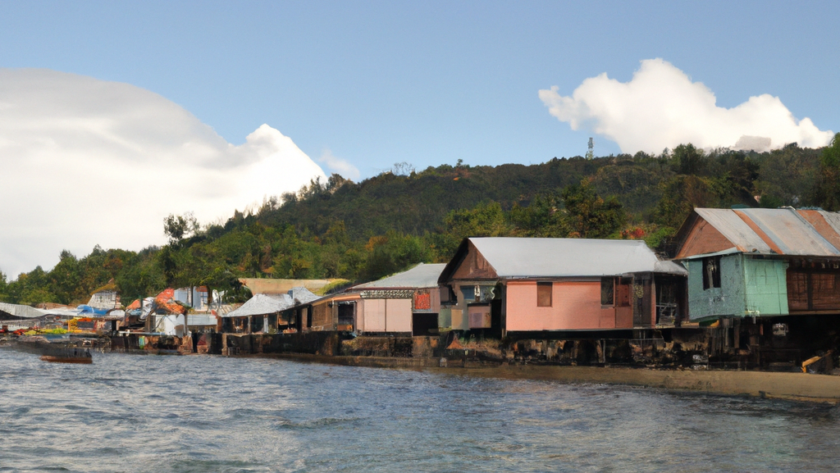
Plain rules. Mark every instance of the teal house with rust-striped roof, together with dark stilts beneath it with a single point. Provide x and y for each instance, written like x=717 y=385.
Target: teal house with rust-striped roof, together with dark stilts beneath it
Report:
x=767 y=280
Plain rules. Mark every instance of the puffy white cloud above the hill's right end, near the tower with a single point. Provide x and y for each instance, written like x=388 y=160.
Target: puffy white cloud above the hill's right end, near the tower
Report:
x=660 y=107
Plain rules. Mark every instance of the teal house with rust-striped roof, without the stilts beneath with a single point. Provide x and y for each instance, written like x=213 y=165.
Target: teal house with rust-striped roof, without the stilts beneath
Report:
x=761 y=262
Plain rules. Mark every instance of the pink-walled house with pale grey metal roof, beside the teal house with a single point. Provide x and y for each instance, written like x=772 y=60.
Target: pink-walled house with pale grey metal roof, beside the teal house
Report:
x=559 y=284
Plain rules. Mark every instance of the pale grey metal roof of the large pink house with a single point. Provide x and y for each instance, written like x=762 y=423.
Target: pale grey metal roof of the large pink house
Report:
x=569 y=257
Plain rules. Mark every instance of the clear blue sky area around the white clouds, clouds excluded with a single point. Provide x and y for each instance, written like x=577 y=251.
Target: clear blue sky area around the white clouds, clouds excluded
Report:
x=382 y=82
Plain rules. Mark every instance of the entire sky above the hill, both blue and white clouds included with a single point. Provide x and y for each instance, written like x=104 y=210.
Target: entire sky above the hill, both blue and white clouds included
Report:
x=115 y=114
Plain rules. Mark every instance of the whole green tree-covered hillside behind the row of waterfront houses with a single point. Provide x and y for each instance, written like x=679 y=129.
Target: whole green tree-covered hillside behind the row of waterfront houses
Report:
x=366 y=230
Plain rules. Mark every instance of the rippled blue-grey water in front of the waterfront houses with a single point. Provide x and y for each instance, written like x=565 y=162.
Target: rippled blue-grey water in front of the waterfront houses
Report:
x=208 y=413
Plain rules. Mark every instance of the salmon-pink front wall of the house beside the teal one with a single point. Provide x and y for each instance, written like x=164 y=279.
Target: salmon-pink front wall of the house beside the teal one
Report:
x=574 y=306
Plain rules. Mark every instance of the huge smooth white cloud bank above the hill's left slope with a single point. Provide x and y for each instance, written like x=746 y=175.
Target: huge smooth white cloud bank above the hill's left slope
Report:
x=88 y=162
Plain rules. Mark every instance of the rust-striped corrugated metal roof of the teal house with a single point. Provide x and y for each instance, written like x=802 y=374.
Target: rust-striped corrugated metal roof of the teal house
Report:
x=784 y=231
